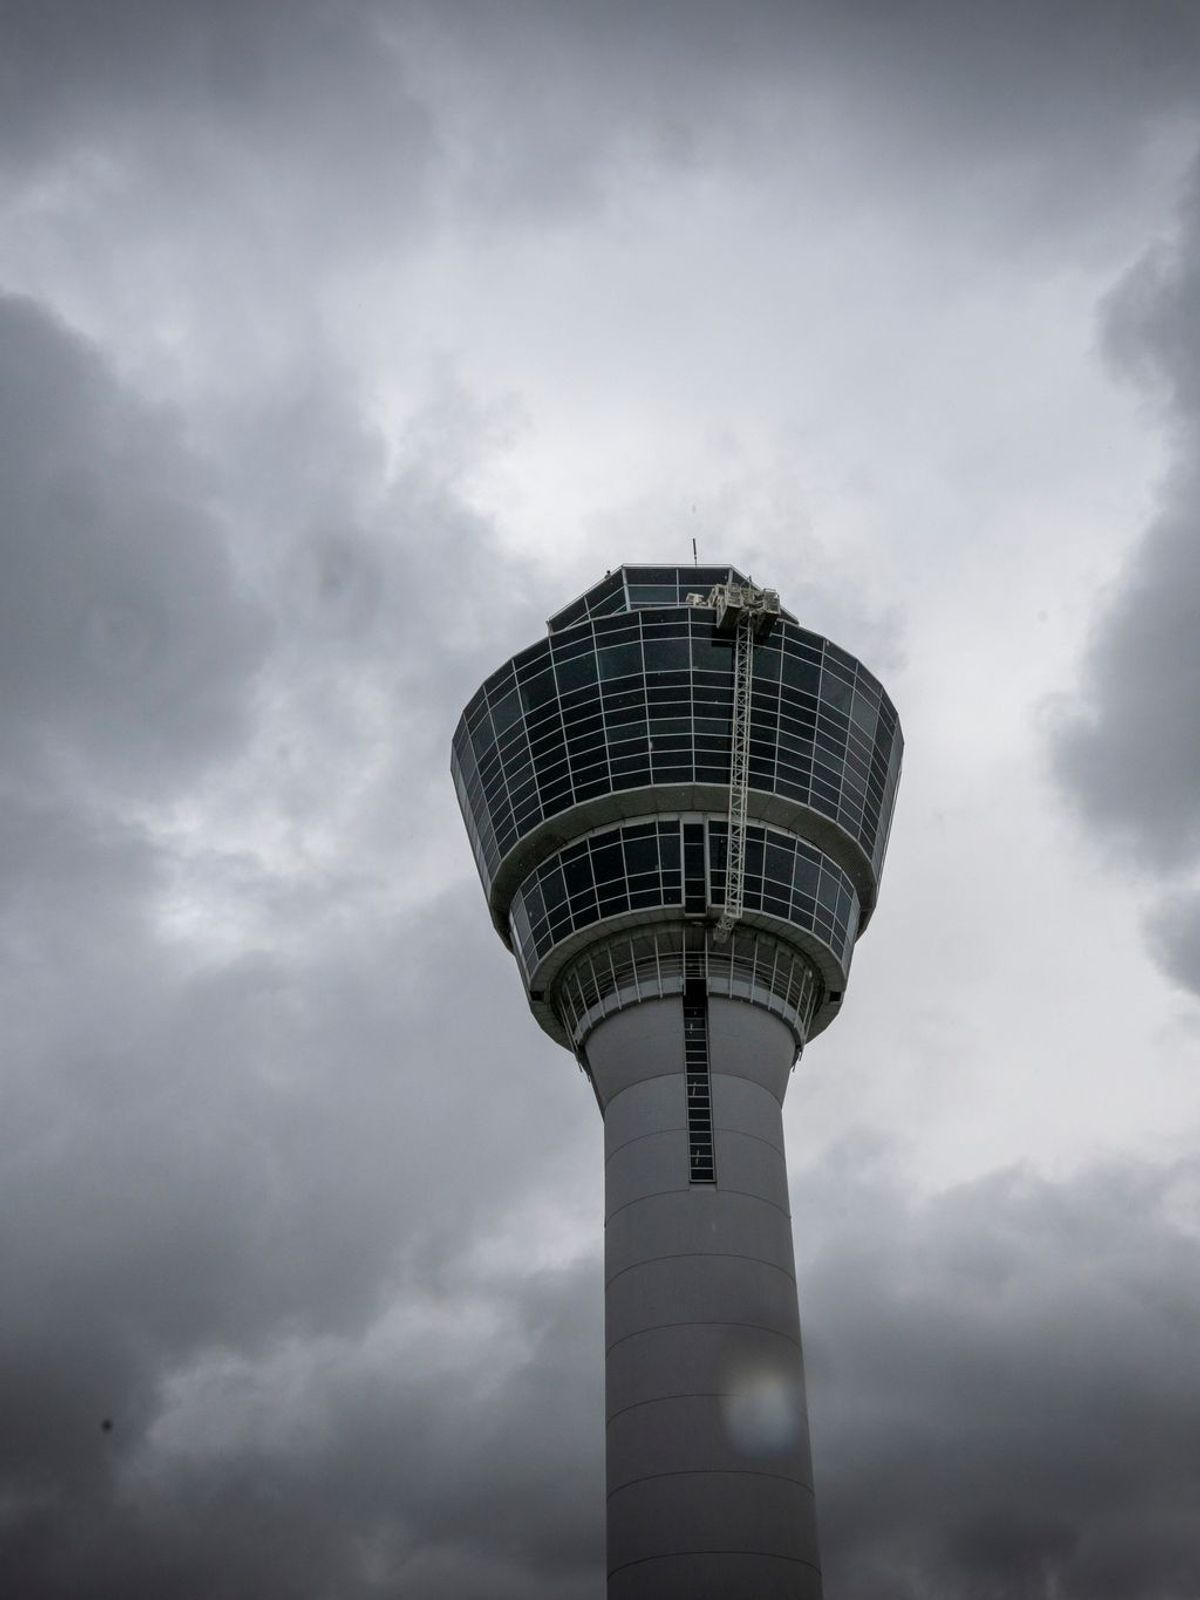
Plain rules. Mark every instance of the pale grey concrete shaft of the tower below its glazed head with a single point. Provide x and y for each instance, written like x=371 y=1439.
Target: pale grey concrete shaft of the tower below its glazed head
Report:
x=710 y=1473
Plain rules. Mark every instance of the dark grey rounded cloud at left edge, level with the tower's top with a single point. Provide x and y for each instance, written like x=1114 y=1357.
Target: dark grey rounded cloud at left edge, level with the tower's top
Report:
x=126 y=646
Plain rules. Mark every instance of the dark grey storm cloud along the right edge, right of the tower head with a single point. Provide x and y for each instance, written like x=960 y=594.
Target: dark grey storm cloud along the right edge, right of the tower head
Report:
x=1130 y=753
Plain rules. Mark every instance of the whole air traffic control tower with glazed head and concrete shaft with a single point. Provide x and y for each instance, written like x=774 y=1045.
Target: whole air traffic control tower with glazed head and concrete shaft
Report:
x=679 y=804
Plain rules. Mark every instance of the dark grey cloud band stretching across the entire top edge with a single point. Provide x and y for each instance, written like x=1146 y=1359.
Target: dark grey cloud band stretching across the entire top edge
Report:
x=335 y=129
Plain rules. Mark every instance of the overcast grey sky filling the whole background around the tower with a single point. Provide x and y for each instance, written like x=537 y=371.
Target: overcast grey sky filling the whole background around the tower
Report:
x=338 y=346
